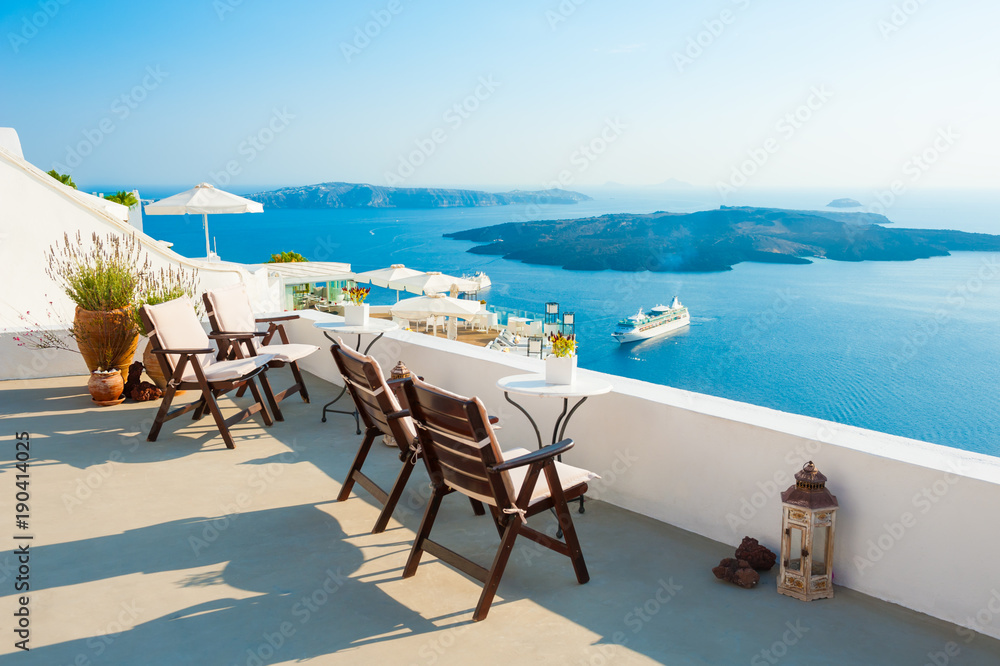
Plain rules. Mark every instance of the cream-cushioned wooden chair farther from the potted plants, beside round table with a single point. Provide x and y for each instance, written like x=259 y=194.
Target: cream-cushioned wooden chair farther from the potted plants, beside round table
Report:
x=230 y=314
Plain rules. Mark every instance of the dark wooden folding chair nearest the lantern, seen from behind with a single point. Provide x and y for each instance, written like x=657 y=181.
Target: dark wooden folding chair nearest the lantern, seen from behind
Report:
x=462 y=454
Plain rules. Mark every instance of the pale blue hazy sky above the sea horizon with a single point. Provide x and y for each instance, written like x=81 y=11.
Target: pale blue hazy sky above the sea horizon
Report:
x=246 y=93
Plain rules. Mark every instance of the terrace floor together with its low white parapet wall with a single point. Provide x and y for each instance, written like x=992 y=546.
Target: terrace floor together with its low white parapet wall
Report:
x=183 y=550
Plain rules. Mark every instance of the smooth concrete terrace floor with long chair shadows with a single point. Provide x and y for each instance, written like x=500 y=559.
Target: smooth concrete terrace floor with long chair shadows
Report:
x=182 y=551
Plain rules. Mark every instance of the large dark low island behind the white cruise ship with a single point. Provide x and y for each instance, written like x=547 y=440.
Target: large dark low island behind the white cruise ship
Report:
x=715 y=240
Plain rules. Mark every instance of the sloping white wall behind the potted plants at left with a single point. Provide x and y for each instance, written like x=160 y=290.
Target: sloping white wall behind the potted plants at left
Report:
x=35 y=212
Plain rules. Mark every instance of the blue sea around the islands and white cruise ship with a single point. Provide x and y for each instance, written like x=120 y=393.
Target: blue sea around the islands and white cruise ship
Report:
x=908 y=348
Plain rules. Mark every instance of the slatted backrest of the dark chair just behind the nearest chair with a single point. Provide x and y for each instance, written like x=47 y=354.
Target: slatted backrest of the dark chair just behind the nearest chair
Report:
x=372 y=396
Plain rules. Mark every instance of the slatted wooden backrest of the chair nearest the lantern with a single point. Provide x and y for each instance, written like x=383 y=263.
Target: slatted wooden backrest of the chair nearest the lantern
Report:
x=458 y=443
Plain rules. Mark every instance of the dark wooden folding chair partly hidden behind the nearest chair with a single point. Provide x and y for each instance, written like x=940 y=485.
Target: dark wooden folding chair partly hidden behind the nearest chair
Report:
x=379 y=407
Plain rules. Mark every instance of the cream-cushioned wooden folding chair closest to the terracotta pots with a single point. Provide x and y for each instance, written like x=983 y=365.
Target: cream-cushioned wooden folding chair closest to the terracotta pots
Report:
x=188 y=359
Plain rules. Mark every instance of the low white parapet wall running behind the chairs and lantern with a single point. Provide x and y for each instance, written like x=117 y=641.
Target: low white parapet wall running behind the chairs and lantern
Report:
x=915 y=524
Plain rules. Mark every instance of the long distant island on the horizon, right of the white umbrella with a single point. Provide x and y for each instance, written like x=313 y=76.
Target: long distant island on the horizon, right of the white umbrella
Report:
x=359 y=195
